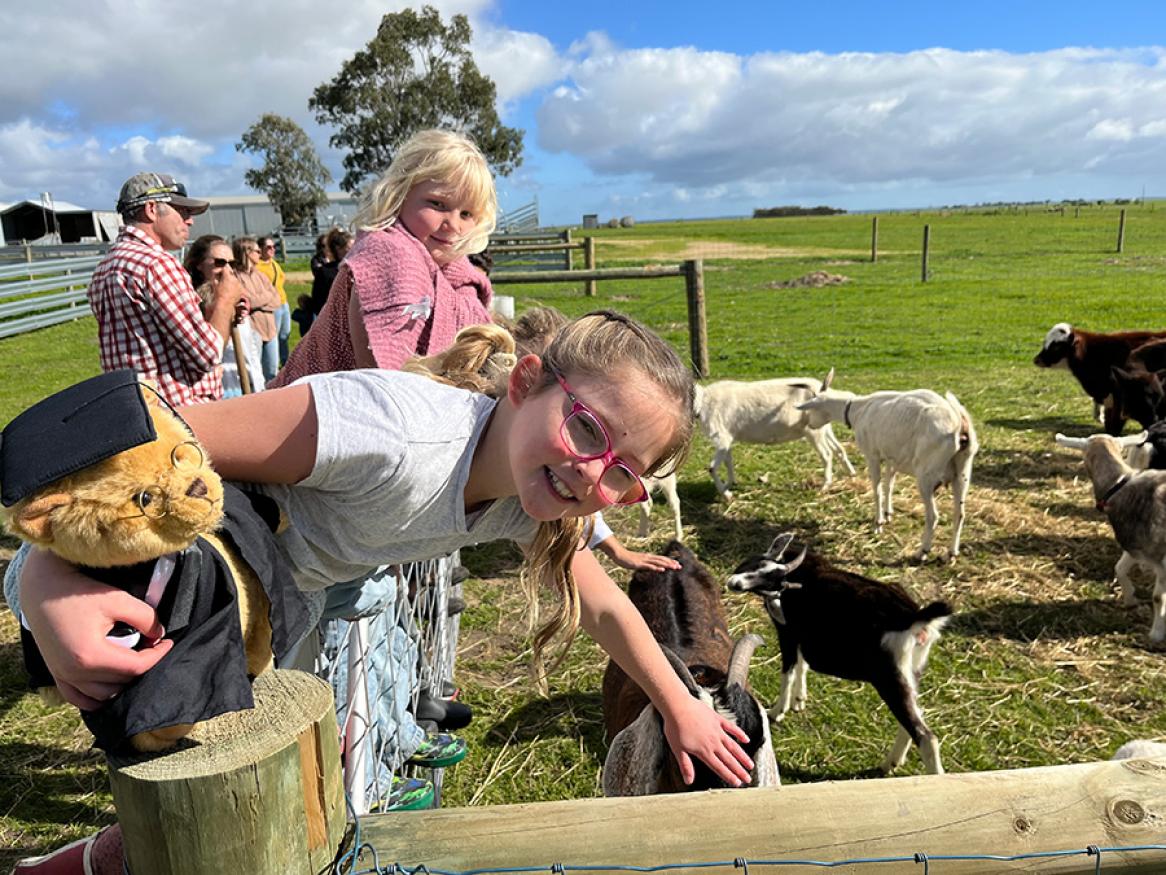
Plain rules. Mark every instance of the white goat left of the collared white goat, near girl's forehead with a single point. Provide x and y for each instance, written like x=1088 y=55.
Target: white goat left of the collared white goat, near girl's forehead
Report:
x=763 y=412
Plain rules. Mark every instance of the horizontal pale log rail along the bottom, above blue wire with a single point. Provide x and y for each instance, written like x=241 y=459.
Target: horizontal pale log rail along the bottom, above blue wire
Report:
x=1063 y=808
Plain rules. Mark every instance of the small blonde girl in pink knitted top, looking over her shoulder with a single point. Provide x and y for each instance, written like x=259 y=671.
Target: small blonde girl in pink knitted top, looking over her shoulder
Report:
x=406 y=288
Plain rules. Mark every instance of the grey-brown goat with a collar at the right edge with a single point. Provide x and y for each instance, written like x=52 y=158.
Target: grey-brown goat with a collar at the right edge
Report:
x=1135 y=503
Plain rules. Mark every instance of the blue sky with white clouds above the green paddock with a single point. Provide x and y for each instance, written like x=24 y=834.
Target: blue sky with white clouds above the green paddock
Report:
x=647 y=109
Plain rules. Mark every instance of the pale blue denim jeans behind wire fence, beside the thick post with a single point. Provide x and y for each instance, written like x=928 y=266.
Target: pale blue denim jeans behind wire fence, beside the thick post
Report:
x=391 y=666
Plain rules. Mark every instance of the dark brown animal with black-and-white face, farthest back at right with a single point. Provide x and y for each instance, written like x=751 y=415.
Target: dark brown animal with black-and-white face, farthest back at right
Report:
x=1092 y=359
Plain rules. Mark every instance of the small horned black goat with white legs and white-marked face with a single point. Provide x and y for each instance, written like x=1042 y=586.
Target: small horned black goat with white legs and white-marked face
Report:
x=849 y=627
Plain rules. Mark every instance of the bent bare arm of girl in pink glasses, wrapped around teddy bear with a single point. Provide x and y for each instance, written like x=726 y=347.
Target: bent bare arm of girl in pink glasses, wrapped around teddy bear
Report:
x=264 y=438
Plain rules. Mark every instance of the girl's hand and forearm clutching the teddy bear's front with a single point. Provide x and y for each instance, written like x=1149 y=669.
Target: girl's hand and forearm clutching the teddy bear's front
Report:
x=71 y=617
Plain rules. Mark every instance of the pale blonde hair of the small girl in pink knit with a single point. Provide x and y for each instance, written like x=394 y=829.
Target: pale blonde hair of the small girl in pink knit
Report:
x=442 y=157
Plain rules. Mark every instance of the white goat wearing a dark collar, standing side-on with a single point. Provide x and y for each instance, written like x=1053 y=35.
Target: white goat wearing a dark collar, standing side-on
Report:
x=919 y=433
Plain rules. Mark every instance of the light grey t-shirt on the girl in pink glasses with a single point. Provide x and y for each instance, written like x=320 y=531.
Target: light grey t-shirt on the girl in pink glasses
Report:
x=394 y=454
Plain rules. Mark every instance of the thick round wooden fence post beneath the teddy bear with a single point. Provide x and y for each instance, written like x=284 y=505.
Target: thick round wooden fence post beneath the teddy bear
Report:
x=256 y=792
